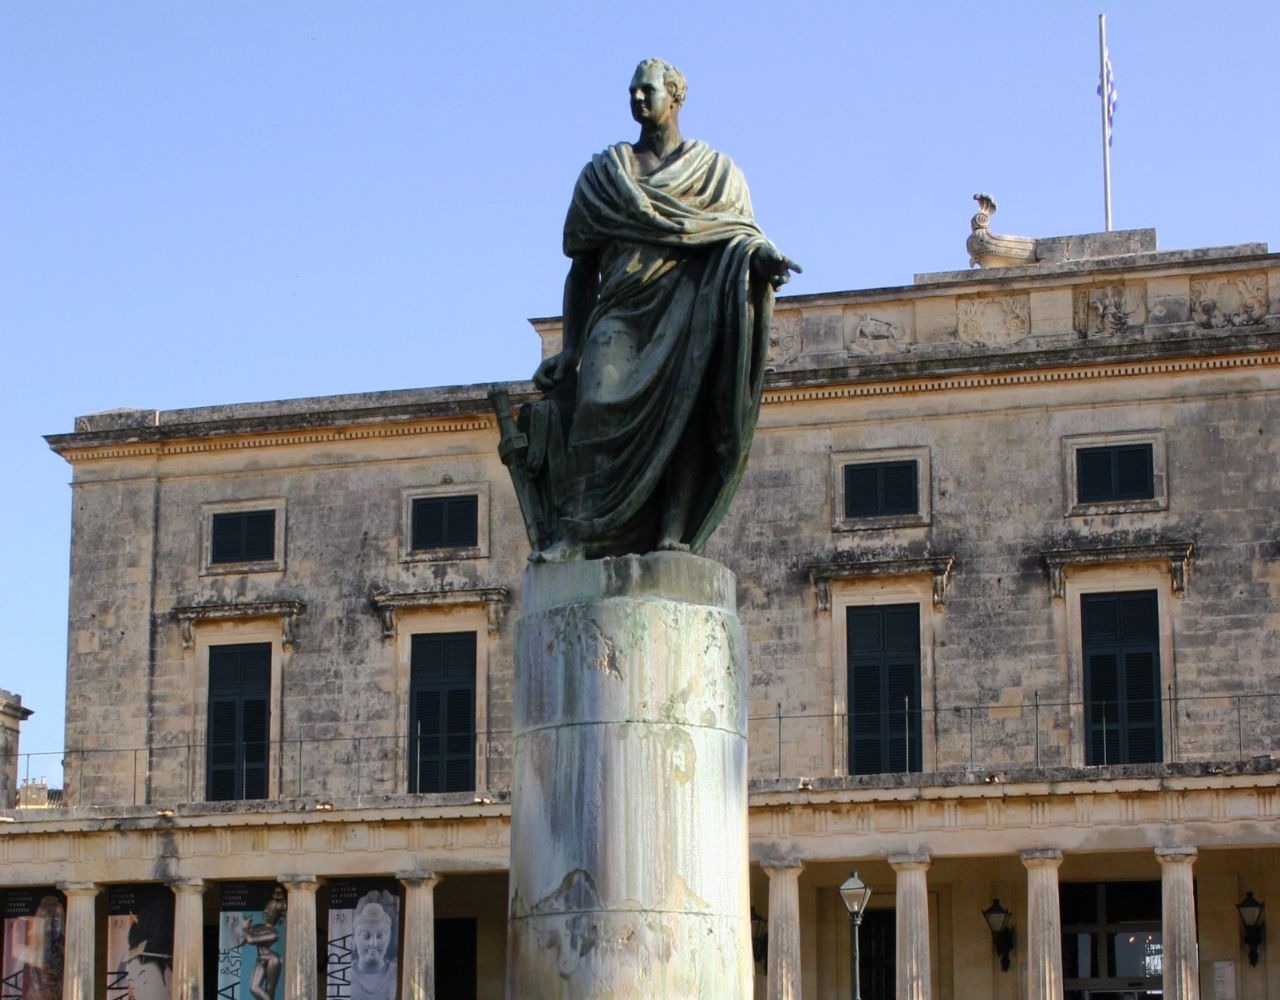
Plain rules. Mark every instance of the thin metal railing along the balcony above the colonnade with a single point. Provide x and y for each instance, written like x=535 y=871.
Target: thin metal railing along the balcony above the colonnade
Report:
x=1034 y=734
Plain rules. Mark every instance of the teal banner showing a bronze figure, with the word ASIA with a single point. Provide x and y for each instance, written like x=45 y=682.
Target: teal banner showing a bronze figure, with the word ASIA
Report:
x=250 y=940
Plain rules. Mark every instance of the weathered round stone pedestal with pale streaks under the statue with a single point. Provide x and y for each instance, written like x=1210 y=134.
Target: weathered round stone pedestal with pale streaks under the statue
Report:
x=629 y=860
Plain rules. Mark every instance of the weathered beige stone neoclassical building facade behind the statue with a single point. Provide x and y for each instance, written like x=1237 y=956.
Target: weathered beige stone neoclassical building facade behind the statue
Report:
x=1008 y=555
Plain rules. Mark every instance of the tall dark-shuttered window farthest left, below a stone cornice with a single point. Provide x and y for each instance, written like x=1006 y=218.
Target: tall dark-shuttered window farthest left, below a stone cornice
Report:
x=239 y=737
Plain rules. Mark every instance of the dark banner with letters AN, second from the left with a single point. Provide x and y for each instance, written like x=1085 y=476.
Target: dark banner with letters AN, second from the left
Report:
x=139 y=943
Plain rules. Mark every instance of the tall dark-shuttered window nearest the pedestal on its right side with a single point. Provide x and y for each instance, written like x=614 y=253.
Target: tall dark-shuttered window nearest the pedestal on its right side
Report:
x=884 y=651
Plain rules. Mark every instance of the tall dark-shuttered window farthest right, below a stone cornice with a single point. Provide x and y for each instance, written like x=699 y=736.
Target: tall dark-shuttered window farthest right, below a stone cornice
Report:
x=1122 y=678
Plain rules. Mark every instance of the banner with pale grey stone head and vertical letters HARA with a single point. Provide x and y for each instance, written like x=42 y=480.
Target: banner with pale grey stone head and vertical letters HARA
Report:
x=364 y=937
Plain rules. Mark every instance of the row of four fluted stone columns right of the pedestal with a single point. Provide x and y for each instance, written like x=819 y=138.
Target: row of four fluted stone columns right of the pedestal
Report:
x=1044 y=926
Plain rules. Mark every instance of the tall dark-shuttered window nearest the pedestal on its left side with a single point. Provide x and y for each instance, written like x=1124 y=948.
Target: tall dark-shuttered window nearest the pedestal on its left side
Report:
x=442 y=713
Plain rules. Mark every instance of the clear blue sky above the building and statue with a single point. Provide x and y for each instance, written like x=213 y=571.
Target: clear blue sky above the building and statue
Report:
x=208 y=203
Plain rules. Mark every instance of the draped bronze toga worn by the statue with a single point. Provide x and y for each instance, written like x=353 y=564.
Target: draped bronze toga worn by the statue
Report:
x=674 y=350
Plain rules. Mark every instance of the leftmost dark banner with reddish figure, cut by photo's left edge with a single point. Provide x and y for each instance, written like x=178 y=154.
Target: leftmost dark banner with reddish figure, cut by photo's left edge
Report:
x=35 y=929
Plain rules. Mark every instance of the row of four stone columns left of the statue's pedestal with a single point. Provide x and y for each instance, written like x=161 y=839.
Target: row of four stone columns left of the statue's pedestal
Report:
x=418 y=958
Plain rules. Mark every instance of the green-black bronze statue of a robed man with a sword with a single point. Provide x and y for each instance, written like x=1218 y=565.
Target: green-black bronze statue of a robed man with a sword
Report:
x=648 y=412
